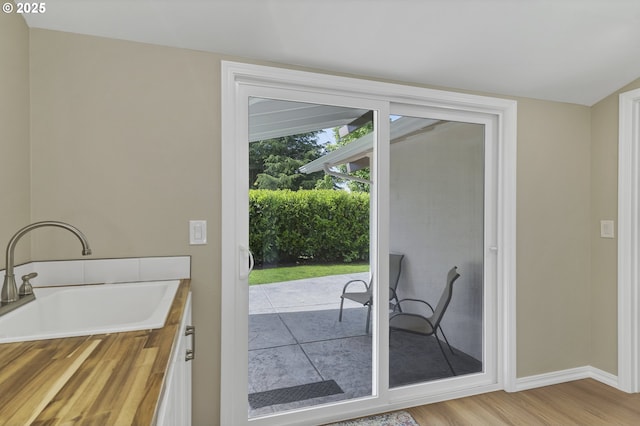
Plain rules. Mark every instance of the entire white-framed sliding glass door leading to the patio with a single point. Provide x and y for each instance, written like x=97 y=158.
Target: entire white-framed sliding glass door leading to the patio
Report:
x=348 y=208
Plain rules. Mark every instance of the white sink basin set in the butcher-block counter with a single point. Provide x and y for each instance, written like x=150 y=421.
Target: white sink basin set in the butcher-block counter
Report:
x=91 y=309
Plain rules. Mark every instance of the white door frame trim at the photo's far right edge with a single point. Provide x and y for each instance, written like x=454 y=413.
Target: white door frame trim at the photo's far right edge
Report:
x=629 y=242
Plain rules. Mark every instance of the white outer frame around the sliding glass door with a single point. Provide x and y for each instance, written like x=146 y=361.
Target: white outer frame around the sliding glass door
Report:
x=235 y=77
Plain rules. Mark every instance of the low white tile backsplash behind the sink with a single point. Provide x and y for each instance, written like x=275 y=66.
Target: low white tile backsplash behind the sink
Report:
x=73 y=272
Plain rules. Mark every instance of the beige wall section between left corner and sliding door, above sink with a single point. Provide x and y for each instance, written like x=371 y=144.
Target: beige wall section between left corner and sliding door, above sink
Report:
x=126 y=146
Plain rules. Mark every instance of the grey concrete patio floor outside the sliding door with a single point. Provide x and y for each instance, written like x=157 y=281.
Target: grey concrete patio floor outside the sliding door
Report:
x=295 y=339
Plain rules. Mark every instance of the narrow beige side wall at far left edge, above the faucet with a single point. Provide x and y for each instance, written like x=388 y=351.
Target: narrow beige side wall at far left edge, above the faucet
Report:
x=14 y=122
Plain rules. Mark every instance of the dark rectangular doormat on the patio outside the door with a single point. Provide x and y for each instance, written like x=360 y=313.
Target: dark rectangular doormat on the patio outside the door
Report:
x=294 y=393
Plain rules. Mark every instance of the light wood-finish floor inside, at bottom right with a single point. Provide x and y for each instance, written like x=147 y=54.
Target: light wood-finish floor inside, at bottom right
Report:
x=582 y=402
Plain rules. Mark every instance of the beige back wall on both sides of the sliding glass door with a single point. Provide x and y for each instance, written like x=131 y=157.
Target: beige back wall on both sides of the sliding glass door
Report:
x=126 y=145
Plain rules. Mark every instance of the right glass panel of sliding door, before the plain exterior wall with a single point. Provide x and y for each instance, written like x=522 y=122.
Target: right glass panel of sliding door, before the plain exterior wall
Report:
x=437 y=223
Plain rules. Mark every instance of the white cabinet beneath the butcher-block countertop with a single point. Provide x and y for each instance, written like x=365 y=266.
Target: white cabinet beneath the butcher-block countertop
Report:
x=175 y=406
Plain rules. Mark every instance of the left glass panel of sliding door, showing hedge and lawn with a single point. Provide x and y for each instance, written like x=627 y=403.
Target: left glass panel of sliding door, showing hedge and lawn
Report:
x=309 y=232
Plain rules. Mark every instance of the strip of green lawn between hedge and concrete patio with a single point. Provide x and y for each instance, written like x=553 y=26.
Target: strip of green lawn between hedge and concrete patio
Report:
x=290 y=273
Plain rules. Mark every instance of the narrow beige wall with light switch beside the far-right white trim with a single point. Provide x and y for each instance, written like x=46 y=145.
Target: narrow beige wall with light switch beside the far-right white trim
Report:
x=604 y=205
